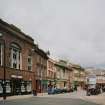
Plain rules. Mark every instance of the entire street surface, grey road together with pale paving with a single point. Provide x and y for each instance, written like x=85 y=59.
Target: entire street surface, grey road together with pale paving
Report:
x=75 y=98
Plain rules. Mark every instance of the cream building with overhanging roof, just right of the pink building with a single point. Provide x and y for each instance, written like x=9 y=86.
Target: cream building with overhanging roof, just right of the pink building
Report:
x=63 y=75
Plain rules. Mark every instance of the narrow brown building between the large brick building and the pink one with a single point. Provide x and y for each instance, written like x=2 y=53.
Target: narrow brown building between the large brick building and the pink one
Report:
x=41 y=71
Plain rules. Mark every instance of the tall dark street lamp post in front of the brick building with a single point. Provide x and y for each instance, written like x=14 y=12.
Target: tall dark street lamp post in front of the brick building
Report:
x=4 y=67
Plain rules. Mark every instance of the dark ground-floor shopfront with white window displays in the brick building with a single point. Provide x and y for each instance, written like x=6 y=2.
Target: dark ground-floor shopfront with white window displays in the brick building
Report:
x=16 y=87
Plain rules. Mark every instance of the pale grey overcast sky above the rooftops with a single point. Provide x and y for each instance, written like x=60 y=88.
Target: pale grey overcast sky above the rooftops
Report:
x=71 y=29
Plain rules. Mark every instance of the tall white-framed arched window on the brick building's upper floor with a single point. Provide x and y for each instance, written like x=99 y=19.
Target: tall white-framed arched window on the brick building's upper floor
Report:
x=15 y=56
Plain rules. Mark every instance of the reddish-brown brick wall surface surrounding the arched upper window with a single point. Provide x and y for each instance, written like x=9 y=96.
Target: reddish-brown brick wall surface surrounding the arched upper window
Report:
x=26 y=49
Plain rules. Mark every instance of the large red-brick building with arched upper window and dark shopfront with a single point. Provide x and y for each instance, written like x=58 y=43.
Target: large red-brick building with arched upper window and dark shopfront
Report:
x=19 y=60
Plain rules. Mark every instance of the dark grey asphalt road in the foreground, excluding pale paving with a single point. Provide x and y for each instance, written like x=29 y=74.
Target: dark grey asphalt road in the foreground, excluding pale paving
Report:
x=48 y=101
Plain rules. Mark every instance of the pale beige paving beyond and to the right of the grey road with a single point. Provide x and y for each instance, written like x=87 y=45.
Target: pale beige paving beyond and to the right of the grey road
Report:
x=98 y=99
